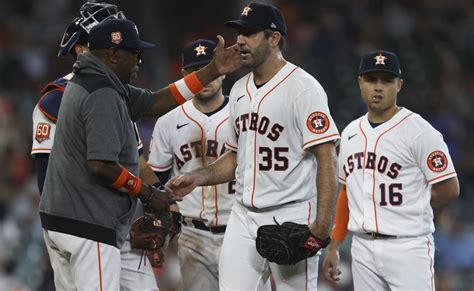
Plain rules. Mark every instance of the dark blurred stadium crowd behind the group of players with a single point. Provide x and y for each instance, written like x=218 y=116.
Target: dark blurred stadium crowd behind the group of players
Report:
x=433 y=38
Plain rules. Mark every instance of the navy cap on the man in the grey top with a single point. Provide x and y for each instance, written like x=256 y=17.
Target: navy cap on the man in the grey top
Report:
x=116 y=33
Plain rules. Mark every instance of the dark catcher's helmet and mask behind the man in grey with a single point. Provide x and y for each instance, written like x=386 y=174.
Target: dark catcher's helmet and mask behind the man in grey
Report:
x=90 y=15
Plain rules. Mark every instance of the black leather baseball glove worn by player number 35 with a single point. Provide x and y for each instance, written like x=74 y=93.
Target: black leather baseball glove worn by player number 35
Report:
x=288 y=243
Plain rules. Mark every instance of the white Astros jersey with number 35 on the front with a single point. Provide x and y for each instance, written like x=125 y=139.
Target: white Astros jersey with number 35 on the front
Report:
x=270 y=129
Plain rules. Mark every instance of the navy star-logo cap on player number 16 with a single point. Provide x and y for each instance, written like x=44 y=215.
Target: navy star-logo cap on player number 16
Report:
x=380 y=61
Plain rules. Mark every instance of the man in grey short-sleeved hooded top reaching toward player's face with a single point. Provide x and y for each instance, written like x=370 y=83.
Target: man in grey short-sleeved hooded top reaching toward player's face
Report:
x=78 y=222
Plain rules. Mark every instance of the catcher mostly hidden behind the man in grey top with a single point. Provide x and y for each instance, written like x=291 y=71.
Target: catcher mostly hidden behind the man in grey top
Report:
x=134 y=275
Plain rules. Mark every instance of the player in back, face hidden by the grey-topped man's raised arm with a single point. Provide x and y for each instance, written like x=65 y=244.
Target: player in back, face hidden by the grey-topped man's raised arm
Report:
x=185 y=139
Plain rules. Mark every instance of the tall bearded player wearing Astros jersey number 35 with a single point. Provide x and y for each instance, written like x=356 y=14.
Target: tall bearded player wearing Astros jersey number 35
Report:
x=282 y=152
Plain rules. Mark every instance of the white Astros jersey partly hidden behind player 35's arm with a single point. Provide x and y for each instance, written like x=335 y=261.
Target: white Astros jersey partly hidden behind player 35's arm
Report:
x=185 y=139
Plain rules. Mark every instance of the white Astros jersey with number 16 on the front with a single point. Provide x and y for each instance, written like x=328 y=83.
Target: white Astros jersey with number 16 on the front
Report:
x=389 y=170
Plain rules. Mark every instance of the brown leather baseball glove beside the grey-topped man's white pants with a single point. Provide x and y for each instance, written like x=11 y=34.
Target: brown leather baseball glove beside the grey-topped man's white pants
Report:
x=148 y=233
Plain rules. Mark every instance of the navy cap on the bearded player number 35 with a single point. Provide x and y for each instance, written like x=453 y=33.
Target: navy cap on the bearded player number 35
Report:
x=260 y=16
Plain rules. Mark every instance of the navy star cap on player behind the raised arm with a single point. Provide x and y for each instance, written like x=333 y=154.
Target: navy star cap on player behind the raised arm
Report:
x=198 y=52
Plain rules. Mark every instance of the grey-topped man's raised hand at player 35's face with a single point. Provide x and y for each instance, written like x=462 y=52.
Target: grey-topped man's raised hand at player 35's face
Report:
x=225 y=59
